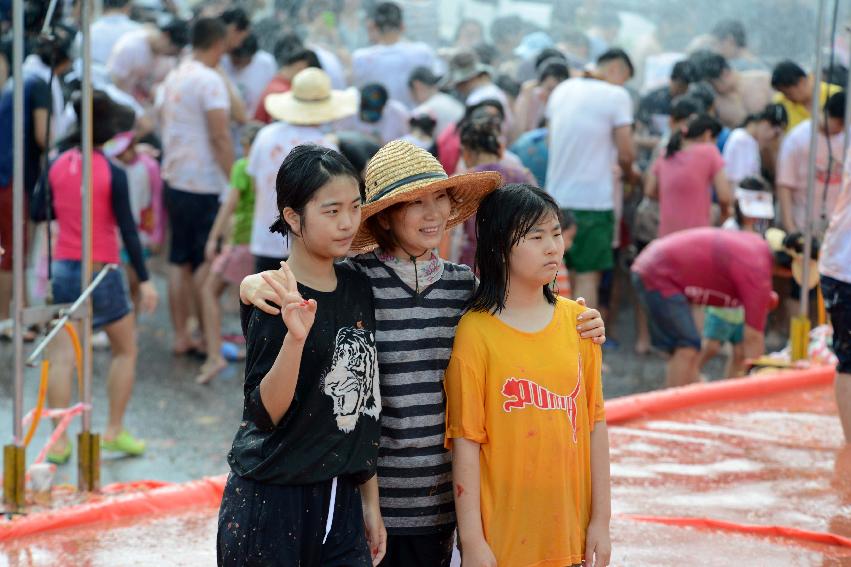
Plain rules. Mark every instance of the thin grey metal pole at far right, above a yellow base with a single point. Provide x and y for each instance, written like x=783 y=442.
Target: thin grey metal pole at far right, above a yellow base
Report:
x=815 y=114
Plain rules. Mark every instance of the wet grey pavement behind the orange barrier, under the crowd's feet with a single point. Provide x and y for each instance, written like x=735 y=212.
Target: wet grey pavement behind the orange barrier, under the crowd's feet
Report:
x=189 y=428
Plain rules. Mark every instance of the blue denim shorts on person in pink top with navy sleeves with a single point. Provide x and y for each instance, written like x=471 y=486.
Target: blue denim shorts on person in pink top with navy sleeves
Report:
x=110 y=300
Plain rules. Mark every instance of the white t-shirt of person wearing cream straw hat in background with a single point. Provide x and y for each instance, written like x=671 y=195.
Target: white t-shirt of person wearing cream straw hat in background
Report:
x=267 y=153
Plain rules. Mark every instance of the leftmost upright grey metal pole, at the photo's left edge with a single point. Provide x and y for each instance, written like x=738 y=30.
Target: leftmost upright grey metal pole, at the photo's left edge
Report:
x=18 y=213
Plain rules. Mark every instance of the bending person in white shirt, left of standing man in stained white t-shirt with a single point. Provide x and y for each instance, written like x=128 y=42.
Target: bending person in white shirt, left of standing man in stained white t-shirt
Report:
x=132 y=65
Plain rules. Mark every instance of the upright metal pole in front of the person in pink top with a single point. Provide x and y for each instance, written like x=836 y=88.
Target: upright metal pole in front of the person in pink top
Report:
x=86 y=193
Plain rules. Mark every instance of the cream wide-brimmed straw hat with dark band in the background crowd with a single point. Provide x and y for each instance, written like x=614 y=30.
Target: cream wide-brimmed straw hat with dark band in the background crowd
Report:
x=311 y=100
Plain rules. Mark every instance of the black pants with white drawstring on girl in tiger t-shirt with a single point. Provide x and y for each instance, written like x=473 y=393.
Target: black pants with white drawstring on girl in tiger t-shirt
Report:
x=273 y=525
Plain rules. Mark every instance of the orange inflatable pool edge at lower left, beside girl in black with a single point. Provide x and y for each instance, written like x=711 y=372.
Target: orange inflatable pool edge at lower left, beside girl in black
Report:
x=170 y=498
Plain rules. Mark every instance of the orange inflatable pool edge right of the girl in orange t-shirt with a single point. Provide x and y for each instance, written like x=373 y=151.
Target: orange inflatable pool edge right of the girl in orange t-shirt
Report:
x=639 y=406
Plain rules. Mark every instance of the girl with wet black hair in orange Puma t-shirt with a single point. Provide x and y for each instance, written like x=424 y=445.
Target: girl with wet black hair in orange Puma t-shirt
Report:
x=525 y=417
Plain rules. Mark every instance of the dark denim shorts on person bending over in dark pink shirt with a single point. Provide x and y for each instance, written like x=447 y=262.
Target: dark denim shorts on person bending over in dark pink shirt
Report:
x=669 y=318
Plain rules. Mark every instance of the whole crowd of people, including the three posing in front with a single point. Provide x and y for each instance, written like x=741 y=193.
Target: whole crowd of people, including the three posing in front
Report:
x=256 y=150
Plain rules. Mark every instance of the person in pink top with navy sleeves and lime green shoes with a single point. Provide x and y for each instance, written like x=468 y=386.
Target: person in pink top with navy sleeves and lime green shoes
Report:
x=111 y=308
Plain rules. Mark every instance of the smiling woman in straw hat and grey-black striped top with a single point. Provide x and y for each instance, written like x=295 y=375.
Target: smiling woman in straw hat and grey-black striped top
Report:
x=419 y=299
